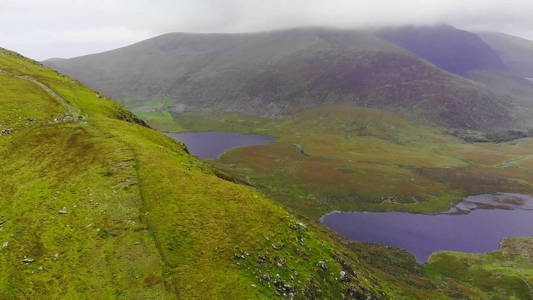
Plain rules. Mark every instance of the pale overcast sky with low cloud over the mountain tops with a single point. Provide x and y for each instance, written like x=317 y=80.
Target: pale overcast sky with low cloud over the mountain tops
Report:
x=44 y=29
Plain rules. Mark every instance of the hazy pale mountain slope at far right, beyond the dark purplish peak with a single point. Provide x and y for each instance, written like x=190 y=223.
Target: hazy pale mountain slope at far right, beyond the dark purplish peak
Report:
x=515 y=52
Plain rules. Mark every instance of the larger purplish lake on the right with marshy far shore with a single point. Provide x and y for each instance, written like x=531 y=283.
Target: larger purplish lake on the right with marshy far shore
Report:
x=476 y=225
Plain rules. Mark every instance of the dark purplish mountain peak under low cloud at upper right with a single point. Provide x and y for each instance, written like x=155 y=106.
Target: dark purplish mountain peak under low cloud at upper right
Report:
x=451 y=49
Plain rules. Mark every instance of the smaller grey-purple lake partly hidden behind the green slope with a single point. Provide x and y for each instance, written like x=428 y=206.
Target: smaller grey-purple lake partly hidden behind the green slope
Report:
x=211 y=144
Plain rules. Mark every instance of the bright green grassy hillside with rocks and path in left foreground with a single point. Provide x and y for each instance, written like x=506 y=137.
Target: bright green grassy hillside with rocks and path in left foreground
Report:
x=93 y=204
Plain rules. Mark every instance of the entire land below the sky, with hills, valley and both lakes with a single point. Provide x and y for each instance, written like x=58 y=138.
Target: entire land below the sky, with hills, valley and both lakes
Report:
x=231 y=164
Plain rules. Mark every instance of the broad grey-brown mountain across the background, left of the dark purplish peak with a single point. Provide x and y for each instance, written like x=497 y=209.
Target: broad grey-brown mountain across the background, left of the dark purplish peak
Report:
x=272 y=73
